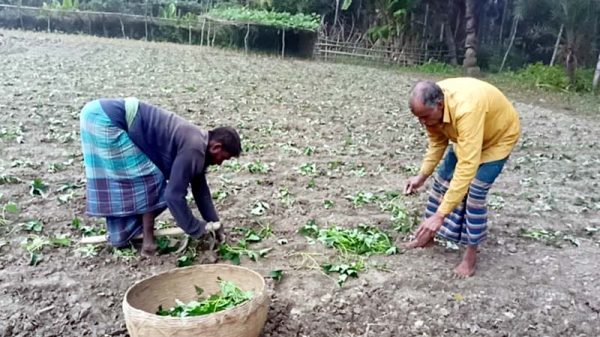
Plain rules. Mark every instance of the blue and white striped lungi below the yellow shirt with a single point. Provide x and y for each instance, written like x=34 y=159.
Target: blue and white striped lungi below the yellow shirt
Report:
x=467 y=223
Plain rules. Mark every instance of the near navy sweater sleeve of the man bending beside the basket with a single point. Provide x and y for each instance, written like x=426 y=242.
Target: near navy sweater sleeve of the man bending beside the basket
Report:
x=183 y=170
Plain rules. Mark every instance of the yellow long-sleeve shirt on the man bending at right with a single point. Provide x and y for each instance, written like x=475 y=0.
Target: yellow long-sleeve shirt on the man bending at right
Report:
x=483 y=125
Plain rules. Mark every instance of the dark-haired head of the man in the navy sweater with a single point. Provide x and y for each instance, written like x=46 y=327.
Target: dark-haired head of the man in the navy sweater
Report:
x=223 y=143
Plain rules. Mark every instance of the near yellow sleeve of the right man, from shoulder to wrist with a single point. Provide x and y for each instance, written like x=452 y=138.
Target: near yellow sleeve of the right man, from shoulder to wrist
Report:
x=470 y=127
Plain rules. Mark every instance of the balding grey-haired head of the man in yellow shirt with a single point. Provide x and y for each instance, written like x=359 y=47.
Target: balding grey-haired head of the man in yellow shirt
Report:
x=427 y=103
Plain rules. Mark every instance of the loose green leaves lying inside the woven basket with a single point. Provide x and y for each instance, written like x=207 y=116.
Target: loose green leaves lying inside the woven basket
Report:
x=229 y=296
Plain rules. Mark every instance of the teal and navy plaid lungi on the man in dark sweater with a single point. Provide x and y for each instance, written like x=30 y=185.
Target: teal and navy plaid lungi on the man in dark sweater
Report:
x=122 y=182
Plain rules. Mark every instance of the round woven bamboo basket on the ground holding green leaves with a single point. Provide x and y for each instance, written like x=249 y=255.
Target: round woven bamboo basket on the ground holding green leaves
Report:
x=143 y=298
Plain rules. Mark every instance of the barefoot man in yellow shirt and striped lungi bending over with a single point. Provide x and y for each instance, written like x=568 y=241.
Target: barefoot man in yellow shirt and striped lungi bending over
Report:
x=483 y=126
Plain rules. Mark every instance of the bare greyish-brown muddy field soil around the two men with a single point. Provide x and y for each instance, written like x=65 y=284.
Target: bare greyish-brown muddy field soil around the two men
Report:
x=354 y=123
